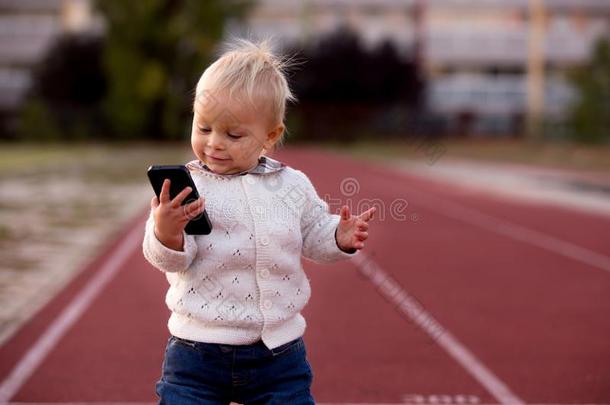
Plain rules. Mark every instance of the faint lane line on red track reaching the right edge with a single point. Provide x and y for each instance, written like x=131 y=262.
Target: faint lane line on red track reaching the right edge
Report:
x=511 y=230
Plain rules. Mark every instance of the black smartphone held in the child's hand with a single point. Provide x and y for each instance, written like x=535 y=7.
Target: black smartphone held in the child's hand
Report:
x=180 y=178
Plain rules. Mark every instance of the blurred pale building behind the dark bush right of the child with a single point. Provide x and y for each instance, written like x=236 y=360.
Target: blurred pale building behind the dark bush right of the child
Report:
x=474 y=53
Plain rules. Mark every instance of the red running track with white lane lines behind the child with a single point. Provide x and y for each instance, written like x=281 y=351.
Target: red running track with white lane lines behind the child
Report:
x=520 y=292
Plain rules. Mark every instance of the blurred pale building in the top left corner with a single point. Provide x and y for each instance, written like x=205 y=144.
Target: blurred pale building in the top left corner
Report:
x=28 y=28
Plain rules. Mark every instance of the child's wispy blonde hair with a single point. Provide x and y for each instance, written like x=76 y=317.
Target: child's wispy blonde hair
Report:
x=253 y=70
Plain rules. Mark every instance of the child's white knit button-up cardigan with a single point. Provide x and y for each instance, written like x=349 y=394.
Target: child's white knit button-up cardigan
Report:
x=244 y=281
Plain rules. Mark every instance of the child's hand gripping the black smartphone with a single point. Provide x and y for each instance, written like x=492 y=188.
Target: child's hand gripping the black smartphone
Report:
x=171 y=216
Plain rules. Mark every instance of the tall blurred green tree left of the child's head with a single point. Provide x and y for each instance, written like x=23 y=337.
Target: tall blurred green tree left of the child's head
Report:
x=155 y=51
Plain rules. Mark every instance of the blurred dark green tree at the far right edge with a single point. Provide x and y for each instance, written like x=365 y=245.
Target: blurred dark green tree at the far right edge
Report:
x=590 y=116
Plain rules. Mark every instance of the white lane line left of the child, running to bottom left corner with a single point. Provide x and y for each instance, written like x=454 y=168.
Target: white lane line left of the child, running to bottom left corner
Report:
x=73 y=311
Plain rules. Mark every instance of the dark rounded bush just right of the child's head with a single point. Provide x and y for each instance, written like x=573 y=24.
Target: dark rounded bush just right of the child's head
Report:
x=346 y=90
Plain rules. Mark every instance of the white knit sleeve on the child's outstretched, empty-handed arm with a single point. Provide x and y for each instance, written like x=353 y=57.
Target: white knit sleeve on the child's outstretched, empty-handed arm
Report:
x=318 y=227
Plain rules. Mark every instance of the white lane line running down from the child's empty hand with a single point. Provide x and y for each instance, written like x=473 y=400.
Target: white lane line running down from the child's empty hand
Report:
x=407 y=304
